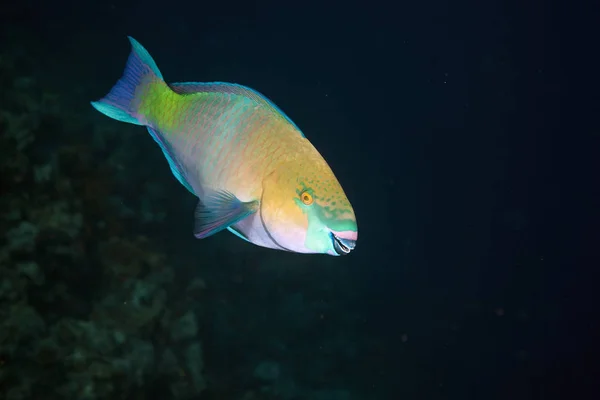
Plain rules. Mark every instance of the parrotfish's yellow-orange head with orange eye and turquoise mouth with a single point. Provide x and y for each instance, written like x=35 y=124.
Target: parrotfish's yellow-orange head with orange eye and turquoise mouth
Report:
x=305 y=210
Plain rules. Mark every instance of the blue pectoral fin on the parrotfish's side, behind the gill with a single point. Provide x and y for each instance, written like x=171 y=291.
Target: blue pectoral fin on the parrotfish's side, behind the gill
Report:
x=220 y=210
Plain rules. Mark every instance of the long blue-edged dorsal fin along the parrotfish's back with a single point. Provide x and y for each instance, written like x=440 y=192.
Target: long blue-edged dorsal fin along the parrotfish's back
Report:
x=232 y=88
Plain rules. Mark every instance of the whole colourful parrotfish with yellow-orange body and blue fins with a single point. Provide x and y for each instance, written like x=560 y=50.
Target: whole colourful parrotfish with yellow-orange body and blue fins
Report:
x=253 y=170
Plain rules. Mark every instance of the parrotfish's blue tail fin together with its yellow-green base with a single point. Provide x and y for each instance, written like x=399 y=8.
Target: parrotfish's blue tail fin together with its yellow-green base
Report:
x=130 y=99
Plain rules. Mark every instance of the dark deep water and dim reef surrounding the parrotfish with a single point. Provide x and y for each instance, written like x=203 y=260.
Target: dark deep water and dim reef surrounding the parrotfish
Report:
x=455 y=131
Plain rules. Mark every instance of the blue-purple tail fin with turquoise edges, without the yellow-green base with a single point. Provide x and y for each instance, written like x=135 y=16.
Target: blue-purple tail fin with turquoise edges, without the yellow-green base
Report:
x=122 y=102
